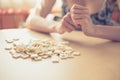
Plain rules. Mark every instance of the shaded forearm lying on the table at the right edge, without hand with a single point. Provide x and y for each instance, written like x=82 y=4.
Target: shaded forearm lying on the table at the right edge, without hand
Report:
x=106 y=32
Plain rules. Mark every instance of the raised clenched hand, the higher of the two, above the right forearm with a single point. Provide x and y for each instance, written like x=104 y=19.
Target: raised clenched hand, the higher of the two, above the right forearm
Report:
x=80 y=16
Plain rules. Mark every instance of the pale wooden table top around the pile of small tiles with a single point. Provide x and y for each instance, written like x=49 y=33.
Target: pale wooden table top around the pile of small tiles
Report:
x=99 y=60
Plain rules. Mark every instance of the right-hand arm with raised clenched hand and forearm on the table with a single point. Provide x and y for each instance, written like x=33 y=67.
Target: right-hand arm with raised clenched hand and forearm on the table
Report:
x=81 y=16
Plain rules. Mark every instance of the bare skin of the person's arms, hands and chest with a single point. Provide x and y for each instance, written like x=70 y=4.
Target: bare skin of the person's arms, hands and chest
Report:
x=79 y=17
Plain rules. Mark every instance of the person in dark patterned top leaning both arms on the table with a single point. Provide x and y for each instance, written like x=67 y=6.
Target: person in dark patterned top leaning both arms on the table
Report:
x=92 y=16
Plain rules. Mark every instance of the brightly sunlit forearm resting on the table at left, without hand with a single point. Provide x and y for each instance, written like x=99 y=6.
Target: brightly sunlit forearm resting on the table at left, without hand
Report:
x=38 y=23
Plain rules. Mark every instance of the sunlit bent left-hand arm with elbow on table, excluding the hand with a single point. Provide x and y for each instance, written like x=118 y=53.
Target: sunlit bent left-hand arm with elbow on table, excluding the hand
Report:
x=36 y=19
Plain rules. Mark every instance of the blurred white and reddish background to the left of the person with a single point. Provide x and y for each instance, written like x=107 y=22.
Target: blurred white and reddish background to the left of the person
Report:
x=13 y=13
